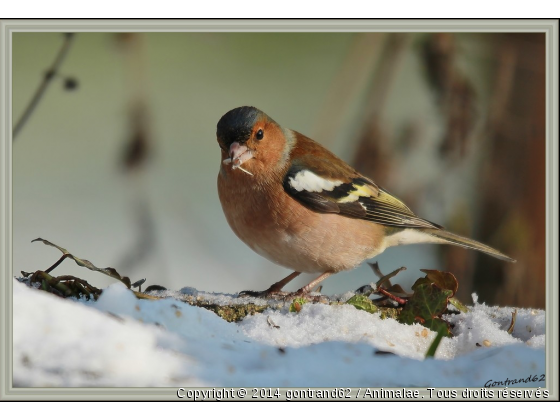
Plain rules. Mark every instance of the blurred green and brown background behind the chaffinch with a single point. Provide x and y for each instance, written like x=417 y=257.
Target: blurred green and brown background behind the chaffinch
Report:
x=121 y=168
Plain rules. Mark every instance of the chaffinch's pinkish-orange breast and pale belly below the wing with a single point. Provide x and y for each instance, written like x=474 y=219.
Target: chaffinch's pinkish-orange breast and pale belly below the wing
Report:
x=284 y=231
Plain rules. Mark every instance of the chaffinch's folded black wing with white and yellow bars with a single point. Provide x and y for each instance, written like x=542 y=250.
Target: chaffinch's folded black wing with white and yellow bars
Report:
x=331 y=189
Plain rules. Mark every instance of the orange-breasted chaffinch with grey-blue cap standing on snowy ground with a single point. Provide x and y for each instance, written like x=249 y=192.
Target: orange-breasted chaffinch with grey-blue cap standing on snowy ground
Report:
x=297 y=204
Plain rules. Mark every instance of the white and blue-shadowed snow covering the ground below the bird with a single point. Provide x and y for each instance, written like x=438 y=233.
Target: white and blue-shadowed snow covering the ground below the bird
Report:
x=122 y=341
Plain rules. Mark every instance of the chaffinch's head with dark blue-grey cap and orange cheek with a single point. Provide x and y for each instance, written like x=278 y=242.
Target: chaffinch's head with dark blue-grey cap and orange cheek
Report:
x=250 y=140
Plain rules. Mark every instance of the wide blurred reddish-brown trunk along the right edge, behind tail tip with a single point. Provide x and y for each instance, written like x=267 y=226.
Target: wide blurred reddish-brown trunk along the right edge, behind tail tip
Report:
x=512 y=190
